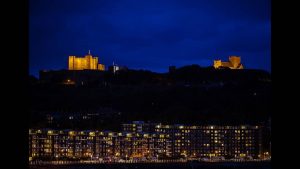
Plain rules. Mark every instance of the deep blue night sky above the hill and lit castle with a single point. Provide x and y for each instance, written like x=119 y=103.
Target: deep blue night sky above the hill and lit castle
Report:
x=149 y=34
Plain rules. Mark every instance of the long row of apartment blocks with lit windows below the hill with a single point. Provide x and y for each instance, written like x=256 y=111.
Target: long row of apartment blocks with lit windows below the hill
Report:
x=140 y=144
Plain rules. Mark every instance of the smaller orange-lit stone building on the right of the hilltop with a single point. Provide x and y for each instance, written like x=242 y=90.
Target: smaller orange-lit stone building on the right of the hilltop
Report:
x=234 y=63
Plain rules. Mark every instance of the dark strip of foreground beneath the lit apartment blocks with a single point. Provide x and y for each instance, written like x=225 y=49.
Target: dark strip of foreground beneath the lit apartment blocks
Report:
x=191 y=165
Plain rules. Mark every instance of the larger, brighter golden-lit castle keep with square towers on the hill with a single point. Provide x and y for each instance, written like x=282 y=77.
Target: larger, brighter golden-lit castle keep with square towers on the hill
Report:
x=86 y=63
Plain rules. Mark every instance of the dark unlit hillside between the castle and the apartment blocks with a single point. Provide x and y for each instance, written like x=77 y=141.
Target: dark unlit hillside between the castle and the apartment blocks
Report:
x=190 y=93
